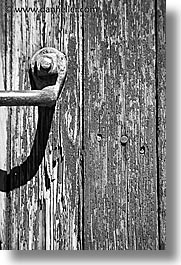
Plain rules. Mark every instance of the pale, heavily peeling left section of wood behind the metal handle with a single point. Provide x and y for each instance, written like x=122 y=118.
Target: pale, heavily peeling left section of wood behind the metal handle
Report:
x=44 y=212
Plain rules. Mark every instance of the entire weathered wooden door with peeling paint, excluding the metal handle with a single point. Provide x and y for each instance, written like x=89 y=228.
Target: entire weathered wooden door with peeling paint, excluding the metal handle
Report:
x=91 y=173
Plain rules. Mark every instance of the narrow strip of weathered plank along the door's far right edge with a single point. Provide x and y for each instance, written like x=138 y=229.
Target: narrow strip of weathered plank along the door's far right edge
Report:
x=161 y=117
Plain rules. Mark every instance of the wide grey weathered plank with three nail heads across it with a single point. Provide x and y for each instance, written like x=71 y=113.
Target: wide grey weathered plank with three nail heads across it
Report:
x=120 y=180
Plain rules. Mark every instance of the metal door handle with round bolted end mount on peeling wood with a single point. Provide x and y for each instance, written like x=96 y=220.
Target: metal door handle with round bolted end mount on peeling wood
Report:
x=48 y=68
